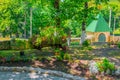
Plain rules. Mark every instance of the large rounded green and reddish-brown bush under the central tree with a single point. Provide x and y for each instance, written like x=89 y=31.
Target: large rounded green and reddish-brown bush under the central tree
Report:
x=53 y=37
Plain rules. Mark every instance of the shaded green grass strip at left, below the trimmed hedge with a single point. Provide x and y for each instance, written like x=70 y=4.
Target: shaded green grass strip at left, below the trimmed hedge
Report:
x=31 y=54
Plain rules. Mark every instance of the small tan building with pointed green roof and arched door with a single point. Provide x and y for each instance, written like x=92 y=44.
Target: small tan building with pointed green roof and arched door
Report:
x=99 y=30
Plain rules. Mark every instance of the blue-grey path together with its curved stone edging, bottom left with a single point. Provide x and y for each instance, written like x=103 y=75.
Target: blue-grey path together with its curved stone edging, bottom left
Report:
x=30 y=73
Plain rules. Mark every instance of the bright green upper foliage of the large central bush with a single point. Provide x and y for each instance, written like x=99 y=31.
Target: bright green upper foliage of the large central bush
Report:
x=53 y=34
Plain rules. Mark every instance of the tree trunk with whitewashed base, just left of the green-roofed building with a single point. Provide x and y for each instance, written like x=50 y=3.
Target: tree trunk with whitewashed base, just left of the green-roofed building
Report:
x=83 y=35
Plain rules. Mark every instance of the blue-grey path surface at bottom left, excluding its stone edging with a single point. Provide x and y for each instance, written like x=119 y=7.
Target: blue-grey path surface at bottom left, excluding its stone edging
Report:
x=27 y=76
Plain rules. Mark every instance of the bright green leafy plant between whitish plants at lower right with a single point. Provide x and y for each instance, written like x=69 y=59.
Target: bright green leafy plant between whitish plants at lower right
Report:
x=105 y=65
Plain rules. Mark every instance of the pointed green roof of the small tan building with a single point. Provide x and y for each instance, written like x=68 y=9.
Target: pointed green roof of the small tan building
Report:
x=98 y=25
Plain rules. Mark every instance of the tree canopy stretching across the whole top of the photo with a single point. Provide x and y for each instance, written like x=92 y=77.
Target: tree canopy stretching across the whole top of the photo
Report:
x=16 y=17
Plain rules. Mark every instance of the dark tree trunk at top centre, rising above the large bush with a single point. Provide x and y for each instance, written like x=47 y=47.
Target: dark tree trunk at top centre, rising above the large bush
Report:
x=57 y=18
